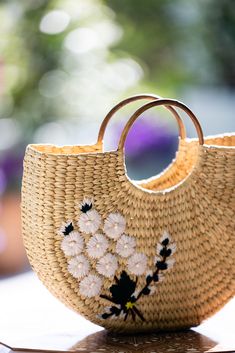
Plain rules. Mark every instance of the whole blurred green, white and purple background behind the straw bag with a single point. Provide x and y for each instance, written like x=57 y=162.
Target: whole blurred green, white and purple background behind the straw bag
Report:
x=64 y=64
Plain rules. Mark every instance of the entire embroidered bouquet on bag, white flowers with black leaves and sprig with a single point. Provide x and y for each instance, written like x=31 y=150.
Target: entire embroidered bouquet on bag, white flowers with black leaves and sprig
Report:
x=93 y=252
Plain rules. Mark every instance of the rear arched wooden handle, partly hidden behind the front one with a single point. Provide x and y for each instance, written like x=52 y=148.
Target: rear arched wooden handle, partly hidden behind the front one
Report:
x=182 y=131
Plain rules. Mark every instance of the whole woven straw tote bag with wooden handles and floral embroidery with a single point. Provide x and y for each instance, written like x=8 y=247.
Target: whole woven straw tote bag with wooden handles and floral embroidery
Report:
x=153 y=255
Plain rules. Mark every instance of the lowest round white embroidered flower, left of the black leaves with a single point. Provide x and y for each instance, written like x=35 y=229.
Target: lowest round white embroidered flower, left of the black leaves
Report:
x=90 y=286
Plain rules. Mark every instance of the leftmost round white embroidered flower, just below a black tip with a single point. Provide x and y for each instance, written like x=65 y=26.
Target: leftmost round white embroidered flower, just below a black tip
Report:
x=72 y=244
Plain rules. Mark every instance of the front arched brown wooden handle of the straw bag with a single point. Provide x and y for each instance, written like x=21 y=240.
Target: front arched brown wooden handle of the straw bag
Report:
x=161 y=102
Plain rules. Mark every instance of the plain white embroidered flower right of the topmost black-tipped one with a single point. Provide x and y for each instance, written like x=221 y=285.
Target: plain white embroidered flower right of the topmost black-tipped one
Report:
x=114 y=225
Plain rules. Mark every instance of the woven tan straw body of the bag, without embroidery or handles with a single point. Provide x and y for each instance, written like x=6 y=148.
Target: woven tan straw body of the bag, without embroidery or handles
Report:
x=193 y=200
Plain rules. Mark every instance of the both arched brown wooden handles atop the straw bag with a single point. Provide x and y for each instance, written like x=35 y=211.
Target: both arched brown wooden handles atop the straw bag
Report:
x=155 y=101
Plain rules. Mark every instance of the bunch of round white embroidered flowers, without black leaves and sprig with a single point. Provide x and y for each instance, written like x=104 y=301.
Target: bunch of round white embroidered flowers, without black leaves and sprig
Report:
x=97 y=248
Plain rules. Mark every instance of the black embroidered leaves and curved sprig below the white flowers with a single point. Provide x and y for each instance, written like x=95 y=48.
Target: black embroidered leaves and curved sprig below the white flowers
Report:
x=124 y=293
